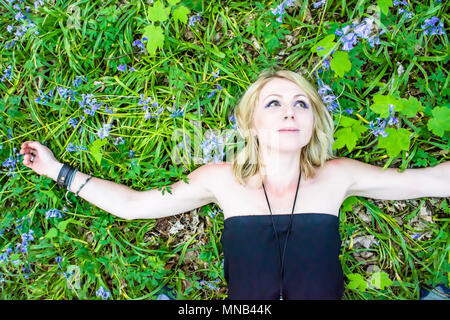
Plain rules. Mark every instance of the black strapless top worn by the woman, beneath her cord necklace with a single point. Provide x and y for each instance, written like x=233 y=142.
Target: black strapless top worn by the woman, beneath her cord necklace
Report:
x=312 y=269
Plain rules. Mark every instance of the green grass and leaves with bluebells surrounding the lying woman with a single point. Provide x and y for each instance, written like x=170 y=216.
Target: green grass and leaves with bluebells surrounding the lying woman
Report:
x=122 y=89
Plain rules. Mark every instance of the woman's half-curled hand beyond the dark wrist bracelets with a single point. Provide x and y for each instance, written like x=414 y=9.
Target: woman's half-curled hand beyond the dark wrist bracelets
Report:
x=44 y=162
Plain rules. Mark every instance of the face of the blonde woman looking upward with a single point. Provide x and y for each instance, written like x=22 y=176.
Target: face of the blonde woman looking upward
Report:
x=282 y=104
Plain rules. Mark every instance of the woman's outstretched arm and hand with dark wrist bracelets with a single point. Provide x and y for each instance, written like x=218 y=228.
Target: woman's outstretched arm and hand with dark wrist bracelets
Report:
x=122 y=201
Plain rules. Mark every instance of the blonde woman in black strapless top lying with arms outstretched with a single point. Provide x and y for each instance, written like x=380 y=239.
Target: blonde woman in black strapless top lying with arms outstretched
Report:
x=280 y=195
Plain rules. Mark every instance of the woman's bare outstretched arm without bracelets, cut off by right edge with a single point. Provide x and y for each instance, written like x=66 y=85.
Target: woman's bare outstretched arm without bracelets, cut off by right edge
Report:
x=390 y=184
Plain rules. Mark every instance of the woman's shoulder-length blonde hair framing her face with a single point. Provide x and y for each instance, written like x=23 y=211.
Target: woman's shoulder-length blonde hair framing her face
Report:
x=247 y=161
